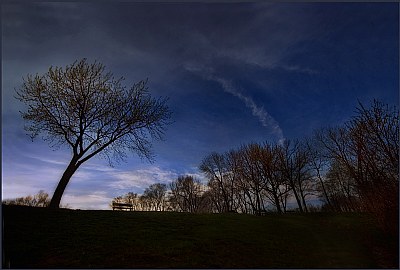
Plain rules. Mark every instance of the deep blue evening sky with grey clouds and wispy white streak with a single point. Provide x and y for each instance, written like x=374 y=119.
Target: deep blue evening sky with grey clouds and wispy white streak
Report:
x=234 y=72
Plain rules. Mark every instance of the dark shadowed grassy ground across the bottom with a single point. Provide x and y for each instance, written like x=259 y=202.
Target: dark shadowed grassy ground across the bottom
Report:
x=44 y=238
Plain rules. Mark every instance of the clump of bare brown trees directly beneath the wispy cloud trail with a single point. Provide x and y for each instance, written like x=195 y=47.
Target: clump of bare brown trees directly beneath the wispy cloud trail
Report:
x=256 y=176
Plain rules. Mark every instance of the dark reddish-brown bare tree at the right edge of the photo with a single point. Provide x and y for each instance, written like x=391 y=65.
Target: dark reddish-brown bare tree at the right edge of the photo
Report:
x=367 y=146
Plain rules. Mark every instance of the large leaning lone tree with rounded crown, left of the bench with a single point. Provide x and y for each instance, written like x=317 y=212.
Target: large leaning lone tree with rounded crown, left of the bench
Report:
x=87 y=109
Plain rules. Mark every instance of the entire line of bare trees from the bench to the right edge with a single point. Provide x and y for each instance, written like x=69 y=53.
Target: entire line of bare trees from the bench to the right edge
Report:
x=350 y=168
